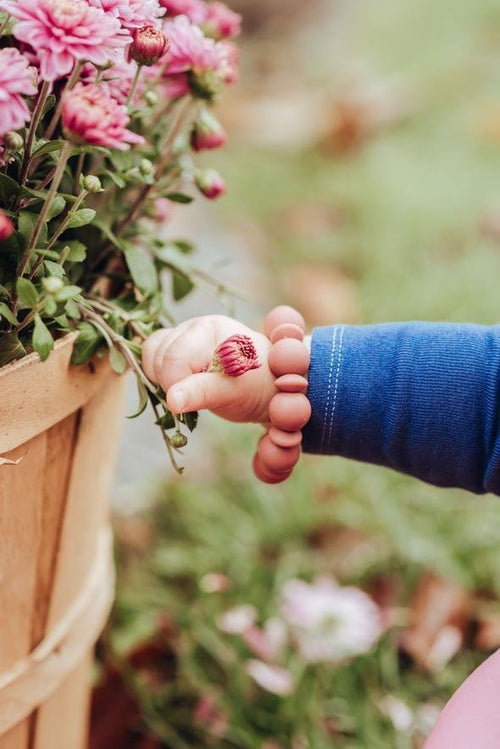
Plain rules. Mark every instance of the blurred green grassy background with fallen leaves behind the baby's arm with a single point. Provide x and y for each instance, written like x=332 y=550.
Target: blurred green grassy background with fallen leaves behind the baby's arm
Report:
x=364 y=186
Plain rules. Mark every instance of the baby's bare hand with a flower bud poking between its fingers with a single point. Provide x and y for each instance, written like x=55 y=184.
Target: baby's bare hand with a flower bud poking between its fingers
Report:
x=177 y=359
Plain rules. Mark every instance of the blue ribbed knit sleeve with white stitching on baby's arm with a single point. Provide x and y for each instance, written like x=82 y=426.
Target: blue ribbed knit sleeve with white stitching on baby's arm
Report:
x=421 y=398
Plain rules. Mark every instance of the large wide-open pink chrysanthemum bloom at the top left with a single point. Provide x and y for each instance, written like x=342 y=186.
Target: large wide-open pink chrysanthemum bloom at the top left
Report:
x=63 y=32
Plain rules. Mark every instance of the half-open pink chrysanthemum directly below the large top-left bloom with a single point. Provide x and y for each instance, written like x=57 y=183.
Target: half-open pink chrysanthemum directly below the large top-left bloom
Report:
x=90 y=115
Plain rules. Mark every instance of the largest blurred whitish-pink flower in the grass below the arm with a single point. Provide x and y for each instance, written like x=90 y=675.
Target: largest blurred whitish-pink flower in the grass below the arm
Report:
x=330 y=622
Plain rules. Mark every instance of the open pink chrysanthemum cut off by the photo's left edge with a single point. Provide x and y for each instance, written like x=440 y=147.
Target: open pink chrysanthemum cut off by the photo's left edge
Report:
x=17 y=79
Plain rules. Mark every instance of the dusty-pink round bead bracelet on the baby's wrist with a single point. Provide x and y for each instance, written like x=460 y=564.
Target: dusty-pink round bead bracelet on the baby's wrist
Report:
x=289 y=411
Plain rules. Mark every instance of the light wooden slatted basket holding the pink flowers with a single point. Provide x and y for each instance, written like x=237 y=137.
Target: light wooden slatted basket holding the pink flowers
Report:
x=56 y=570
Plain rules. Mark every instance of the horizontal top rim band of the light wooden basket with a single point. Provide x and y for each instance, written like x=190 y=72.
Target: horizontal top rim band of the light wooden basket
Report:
x=35 y=395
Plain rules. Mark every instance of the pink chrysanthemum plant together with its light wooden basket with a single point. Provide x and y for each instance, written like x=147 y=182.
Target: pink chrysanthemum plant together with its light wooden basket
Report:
x=103 y=106
